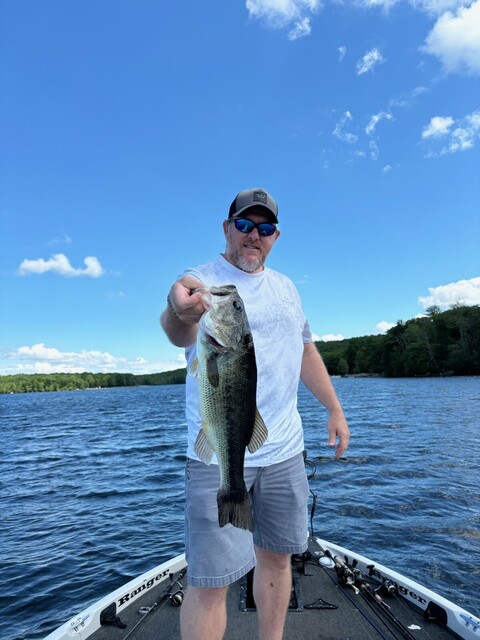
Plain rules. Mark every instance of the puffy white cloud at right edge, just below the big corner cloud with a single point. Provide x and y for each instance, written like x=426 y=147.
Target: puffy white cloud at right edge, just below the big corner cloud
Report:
x=453 y=135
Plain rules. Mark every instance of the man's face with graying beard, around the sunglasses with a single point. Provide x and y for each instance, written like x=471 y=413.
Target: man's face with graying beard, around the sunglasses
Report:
x=248 y=251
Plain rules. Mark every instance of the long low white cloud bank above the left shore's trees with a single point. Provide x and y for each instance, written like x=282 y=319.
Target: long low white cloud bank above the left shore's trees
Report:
x=39 y=358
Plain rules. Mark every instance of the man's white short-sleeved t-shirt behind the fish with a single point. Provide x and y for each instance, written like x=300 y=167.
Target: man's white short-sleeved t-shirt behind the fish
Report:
x=279 y=330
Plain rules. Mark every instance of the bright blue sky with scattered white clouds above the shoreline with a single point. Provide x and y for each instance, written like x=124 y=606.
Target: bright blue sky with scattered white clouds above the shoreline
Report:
x=128 y=127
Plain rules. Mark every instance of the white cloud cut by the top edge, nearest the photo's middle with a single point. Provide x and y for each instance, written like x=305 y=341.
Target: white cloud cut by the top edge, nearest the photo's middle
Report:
x=279 y=14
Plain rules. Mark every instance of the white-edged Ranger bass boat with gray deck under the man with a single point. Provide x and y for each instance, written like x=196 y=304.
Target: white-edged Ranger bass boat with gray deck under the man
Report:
x=336 y=594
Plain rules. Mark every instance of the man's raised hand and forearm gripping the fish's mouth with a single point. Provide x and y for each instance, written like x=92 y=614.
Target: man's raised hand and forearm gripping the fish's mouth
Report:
x=184 y=309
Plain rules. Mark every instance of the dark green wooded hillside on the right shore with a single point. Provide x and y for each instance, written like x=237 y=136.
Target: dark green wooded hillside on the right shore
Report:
x=440 y=343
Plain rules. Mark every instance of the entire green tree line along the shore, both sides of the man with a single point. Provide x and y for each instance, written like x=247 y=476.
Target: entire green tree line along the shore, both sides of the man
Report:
x=441 y=343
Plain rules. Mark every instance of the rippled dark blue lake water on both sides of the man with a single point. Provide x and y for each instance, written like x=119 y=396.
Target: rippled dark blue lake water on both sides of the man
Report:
x=91 y=489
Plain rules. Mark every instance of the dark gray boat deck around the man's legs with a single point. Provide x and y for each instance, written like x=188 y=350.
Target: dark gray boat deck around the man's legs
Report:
x=353 y=618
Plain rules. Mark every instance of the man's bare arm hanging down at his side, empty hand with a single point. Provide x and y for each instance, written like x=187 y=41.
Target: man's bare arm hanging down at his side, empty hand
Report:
x=315 y=376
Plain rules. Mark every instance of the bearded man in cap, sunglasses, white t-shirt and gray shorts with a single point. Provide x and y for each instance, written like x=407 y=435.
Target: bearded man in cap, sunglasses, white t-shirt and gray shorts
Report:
x=274 y=474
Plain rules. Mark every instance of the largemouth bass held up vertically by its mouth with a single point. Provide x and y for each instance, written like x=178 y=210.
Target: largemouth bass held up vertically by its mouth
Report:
x=227 y=375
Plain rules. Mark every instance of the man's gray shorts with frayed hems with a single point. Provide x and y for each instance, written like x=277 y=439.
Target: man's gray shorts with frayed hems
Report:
x=218 y=556
